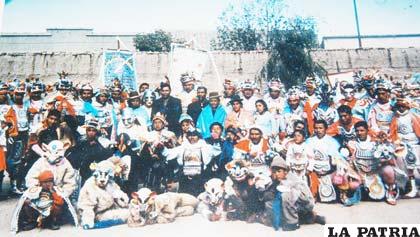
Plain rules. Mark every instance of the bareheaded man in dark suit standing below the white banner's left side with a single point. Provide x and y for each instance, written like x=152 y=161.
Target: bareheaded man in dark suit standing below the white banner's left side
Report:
x=170 y=107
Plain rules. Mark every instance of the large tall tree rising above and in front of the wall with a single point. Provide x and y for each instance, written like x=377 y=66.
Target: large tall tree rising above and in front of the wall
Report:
x=261 y=25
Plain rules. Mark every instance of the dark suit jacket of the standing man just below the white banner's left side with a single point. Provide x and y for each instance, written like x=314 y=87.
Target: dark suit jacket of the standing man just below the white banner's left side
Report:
x=172 y=111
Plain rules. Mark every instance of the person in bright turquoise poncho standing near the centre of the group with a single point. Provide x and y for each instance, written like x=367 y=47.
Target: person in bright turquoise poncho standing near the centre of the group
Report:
x=213 y=112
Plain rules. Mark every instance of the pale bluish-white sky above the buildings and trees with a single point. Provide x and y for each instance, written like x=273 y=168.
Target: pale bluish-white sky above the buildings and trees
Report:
x=333 y=17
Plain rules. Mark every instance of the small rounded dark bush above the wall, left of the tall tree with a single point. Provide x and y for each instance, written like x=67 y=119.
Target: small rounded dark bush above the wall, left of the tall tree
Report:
x=158 y=41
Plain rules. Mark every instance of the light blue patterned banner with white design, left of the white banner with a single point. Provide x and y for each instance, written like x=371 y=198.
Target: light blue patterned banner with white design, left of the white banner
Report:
x=121 y=65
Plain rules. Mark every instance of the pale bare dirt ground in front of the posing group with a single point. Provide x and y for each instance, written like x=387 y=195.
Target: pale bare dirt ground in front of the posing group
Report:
x=405 y=212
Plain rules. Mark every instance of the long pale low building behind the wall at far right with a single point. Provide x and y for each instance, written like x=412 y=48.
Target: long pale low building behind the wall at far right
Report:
x=371 y=41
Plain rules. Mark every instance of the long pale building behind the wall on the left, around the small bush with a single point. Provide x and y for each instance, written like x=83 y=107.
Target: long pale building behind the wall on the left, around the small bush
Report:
x=82 y=40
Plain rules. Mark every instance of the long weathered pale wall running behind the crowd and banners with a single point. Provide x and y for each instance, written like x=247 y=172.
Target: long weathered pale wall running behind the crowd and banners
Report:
x=152 y=67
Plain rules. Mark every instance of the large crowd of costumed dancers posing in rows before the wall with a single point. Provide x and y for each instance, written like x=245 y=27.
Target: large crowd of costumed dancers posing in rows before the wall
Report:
x=63 y=145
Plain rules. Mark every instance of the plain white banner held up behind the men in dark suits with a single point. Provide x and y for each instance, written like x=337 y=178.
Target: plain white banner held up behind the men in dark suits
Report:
x=186 y=60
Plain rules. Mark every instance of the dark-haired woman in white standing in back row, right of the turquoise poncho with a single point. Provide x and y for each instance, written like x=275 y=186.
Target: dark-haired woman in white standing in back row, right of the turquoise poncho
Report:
x=265 y=120
